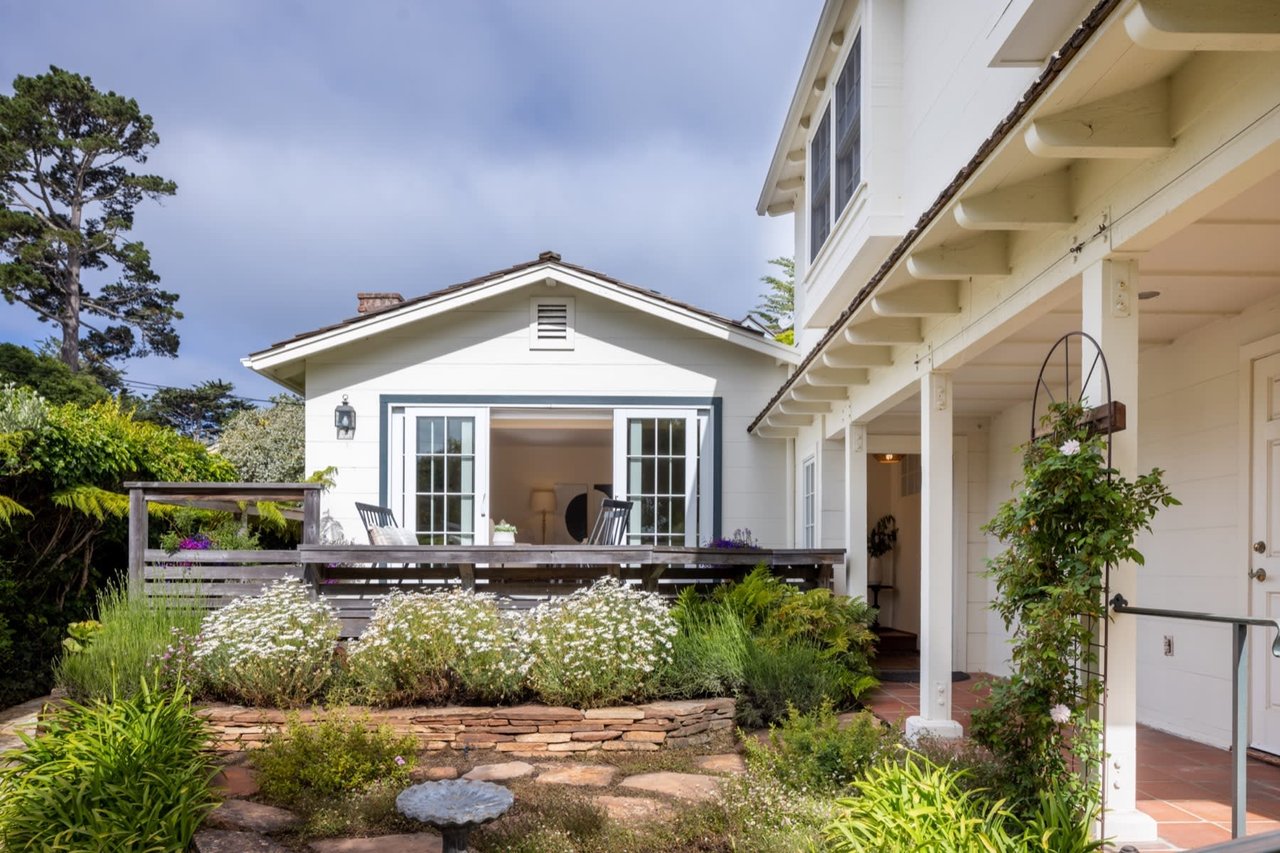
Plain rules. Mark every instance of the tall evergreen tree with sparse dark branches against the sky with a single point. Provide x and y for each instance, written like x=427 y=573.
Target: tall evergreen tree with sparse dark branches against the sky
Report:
x=67 y=203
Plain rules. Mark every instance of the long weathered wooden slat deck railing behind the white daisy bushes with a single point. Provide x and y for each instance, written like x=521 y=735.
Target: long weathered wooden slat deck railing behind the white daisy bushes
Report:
x=353 y=578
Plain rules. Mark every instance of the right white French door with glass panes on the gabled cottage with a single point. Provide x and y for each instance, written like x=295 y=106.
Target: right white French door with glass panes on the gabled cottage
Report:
x=662 y=466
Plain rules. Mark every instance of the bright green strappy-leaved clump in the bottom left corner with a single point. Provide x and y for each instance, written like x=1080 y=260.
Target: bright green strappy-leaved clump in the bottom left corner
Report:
x=122 y=777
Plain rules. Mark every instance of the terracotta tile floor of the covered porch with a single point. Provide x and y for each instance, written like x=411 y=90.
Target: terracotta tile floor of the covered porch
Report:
x=1185 y=786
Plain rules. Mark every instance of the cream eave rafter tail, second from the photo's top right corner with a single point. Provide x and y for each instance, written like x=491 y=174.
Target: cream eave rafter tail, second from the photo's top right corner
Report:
x=1132 y=125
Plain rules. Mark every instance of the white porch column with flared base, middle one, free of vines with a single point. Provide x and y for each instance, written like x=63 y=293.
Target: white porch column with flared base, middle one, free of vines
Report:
x=936 y=560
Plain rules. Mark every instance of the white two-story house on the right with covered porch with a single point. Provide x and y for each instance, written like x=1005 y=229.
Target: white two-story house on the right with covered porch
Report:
x=972 y=181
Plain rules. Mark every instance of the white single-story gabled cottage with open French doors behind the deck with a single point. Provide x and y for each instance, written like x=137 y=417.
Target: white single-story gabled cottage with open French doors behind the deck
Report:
x=531 y=394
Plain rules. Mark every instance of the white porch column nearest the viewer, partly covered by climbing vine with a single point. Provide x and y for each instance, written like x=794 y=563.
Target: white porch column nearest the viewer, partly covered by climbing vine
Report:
x=1110 y=314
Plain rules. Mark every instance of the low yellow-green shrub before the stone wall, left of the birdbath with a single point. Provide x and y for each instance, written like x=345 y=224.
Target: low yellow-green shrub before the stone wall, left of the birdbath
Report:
x=332 y=756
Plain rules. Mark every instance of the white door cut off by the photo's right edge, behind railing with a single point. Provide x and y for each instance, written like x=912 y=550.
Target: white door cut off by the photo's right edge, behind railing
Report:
x=1265 y=553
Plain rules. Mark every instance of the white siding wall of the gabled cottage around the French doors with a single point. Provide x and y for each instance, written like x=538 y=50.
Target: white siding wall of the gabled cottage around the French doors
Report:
x=484 y=350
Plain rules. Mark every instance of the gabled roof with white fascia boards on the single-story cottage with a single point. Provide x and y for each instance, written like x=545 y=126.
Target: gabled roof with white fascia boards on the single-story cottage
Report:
x=276 y=361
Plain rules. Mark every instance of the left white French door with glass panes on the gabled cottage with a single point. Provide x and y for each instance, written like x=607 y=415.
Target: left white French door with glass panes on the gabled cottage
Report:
x=440 y=473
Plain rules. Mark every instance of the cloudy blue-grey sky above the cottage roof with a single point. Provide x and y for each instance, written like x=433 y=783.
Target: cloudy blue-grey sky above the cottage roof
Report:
x=326 y=148
